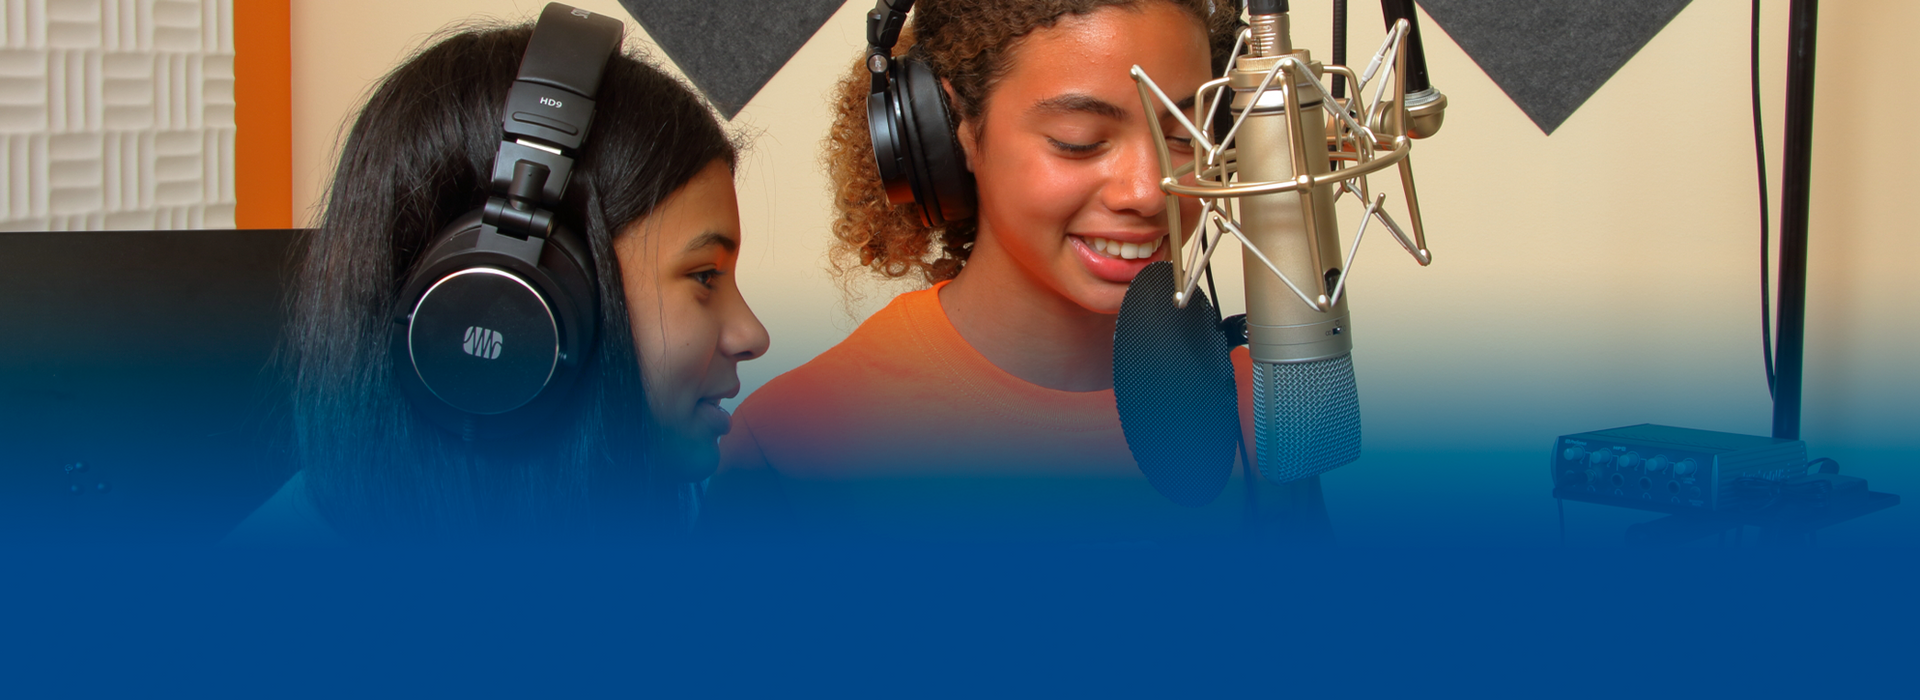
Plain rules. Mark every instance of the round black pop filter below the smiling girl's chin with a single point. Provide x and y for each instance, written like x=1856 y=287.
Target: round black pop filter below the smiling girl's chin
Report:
x=1174 y=388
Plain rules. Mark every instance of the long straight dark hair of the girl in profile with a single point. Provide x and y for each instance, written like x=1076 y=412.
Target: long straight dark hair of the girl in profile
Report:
x=418 y=158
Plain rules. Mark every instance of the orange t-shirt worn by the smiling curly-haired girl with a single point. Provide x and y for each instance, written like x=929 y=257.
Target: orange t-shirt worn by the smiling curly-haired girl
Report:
x=907 y=432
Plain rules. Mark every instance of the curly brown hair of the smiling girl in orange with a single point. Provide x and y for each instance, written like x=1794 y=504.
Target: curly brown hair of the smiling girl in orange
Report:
x=969 y=43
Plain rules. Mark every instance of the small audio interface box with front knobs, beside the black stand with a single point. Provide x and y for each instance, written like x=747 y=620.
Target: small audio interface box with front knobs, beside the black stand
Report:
x=1671 y=469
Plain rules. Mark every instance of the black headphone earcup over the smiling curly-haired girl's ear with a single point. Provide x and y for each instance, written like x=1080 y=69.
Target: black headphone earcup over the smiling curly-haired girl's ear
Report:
x=936 y=166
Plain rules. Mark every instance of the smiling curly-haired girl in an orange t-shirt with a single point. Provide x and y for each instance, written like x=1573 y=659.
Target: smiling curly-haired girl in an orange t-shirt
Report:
x=984 y=406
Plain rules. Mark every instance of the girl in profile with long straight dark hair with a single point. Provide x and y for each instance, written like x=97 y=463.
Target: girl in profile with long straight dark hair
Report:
x=652 y=197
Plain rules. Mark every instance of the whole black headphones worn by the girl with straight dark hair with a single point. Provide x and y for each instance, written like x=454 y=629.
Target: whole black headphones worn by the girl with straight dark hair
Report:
x=500 y=312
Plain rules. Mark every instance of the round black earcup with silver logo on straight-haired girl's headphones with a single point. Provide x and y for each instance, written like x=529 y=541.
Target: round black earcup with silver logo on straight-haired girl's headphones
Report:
x=491 y=331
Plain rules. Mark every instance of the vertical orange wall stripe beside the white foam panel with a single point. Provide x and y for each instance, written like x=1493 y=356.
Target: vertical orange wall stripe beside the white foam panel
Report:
x=264 y=114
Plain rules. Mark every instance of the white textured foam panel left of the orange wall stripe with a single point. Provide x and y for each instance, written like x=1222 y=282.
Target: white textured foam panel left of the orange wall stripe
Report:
x=116 y=114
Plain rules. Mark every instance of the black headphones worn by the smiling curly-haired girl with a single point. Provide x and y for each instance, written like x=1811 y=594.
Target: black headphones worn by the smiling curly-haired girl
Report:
x=909 y=120
